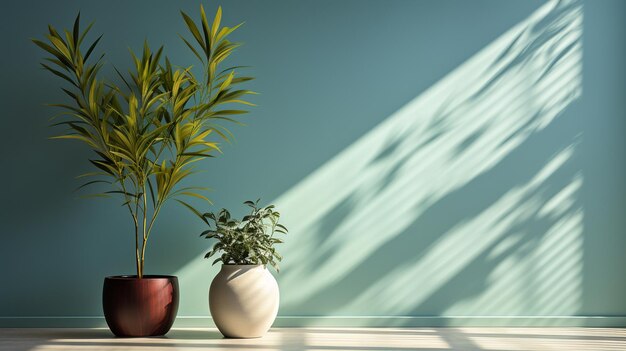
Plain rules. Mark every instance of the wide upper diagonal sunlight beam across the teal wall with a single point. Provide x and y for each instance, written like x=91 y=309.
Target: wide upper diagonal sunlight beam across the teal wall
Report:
x=498 y=97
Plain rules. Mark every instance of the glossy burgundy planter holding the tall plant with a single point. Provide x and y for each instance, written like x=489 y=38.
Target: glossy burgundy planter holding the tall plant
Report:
x=140 y=307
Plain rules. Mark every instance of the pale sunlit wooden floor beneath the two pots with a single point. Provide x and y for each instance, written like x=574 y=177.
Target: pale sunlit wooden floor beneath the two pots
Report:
x=326 y=339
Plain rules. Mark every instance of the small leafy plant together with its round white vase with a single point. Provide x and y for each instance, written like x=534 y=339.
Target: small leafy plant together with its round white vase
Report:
x=244 y=296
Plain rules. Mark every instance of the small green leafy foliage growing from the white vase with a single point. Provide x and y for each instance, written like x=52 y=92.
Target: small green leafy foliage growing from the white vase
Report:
x=249 y=241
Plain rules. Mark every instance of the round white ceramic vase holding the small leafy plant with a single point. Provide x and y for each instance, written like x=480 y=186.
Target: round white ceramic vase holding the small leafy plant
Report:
x=243 y=300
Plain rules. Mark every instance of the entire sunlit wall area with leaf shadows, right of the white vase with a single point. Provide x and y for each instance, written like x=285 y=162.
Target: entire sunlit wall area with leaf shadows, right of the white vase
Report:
x=464 y=202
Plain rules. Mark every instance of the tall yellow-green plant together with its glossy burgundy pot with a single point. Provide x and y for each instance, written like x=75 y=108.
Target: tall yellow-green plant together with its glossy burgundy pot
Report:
x=146 y=134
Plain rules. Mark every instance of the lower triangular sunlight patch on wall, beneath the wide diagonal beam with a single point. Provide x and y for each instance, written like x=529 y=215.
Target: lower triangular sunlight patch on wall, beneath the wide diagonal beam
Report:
x=524 y=277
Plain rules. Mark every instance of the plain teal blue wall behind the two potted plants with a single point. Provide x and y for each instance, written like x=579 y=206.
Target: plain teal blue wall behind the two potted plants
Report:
x=438 y=163
